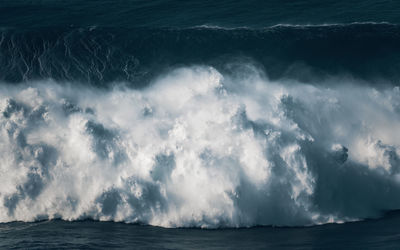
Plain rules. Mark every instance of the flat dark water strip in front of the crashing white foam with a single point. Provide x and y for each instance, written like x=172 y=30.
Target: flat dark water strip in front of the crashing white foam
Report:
x=370 y=234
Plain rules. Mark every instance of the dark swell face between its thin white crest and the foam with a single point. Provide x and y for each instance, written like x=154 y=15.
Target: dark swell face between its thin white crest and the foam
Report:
x=102 y=55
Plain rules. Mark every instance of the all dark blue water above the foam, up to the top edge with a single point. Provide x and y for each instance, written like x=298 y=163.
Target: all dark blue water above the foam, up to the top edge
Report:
x=104 y=41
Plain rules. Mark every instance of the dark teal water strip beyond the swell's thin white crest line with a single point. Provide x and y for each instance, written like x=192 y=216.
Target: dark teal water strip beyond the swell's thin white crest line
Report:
x=173 y=13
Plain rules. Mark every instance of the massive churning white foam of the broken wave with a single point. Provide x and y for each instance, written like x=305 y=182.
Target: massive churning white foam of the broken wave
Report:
x=198 y=148
